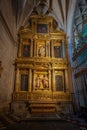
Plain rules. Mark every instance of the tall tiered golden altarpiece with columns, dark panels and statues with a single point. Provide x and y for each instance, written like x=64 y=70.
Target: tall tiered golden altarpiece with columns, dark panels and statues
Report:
x=42 y=68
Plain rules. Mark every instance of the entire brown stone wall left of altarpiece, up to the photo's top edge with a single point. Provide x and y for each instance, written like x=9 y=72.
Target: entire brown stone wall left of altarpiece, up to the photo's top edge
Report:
x=8 y=53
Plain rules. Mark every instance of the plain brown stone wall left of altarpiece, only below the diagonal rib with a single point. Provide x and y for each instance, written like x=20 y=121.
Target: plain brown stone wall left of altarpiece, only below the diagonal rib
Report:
x=8 y=51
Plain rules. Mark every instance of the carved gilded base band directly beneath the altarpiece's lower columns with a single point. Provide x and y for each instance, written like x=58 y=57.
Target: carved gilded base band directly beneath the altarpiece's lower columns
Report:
x=42 y=96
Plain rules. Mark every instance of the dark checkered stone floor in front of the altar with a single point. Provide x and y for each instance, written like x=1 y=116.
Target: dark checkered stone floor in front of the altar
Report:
x=42 y=122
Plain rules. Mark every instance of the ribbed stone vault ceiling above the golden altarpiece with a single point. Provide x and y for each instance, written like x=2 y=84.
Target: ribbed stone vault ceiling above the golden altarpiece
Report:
x=20 y=10
